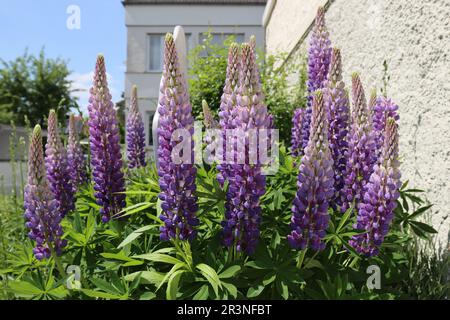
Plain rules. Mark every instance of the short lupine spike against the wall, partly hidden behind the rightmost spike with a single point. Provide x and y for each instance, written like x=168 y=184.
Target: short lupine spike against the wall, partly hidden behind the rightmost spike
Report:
x=383 y=109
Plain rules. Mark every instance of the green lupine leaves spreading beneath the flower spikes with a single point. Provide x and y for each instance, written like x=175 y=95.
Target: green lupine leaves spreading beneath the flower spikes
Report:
x=125 y=259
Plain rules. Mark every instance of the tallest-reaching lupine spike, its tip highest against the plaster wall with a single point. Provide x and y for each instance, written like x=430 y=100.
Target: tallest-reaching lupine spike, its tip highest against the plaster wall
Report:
x=319 y=57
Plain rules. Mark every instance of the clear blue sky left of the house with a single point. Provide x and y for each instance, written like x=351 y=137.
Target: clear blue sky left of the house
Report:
x=35 y=24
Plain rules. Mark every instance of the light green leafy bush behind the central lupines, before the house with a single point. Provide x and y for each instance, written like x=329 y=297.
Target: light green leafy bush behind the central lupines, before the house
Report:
x=207 y=71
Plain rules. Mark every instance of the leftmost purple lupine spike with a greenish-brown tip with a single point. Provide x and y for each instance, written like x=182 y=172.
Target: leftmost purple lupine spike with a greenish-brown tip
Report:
x=41 y=208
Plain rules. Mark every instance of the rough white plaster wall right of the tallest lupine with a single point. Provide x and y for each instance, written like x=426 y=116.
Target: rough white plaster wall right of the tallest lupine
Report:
x=414 y=38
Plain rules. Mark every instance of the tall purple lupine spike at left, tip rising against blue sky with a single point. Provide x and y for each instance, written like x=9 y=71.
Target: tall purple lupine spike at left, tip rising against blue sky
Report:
x=104 y=139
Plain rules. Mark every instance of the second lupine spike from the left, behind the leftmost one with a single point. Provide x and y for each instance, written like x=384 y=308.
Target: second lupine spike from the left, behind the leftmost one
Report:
x=58 y=172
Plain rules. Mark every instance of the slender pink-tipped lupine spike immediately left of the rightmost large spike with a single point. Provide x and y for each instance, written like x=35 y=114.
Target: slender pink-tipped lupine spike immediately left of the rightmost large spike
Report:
x=361 y=154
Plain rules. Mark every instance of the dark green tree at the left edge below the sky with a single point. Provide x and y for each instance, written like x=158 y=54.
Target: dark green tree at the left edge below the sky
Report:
x=32 y=85
